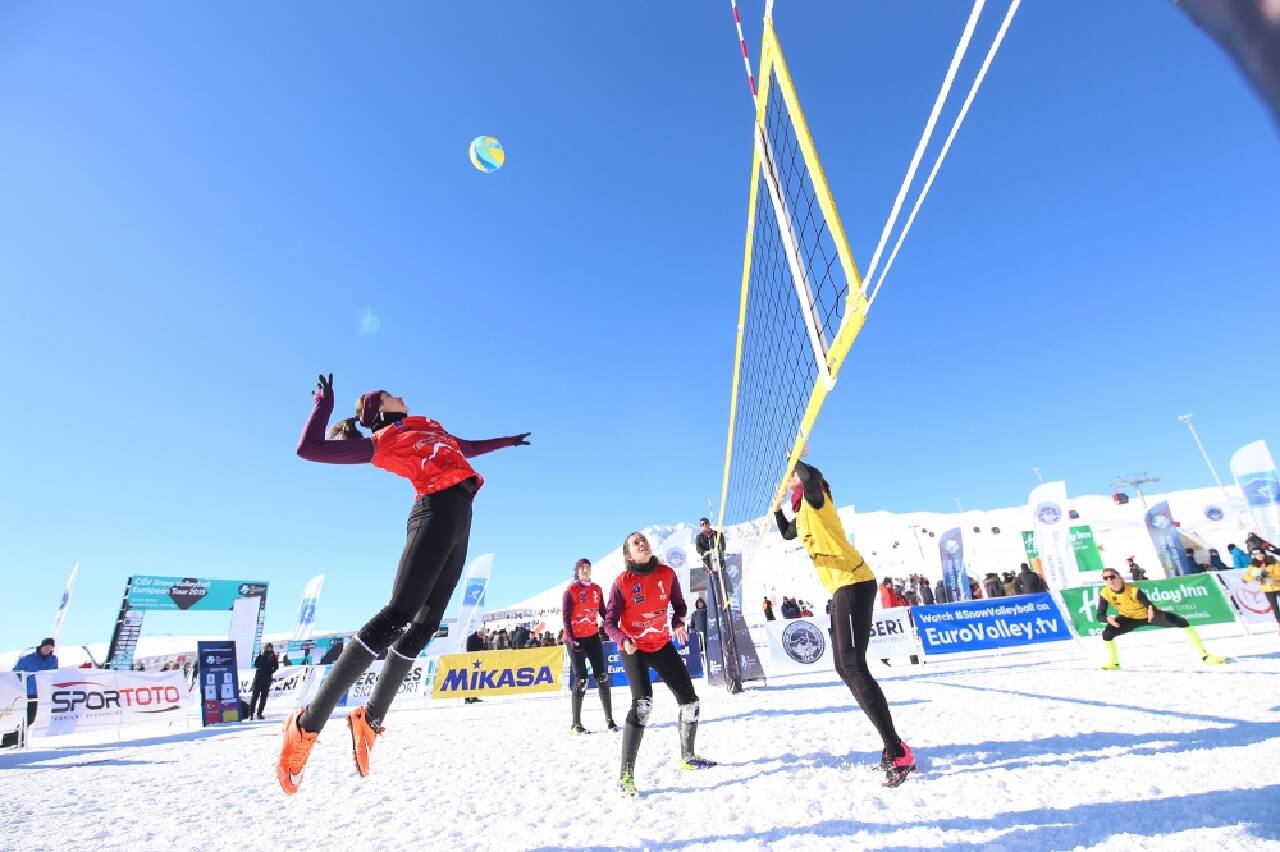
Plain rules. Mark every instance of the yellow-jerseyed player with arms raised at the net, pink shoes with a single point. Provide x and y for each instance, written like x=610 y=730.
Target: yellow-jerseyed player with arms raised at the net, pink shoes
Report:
x=852 y=585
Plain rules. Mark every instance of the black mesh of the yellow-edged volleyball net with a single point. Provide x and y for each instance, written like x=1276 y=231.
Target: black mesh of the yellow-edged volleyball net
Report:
x=778 y=373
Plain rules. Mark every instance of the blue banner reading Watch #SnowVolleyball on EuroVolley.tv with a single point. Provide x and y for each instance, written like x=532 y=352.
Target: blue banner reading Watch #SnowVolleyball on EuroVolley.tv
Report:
x=981 y=626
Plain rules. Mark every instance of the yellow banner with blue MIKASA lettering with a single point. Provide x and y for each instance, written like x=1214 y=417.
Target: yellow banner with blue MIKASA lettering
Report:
x=488 y=674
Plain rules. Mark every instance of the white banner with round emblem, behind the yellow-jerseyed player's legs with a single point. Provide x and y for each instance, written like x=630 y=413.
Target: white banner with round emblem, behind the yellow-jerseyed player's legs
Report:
x=804 y=644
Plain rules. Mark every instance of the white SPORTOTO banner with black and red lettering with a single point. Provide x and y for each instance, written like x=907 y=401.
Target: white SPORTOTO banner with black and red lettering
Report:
x=75 y=700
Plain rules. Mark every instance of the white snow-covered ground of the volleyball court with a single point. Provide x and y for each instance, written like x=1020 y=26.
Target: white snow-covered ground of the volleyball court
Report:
x=1026 y=752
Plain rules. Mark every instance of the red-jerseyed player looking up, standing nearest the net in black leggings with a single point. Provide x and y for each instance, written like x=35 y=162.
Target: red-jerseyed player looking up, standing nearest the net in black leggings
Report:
x=637 y=620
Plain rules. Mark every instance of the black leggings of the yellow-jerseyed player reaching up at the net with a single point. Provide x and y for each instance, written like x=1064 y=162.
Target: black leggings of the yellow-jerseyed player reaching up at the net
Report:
x=851 y=635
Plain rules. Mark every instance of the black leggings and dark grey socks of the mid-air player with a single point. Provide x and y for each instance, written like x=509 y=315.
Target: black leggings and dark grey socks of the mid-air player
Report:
x=436 y=552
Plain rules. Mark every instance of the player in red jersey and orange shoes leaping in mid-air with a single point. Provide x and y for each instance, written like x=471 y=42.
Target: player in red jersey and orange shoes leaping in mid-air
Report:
x=440 y=526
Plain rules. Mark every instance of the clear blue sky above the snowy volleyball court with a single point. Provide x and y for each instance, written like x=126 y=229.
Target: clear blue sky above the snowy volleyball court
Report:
x=202 y=208
